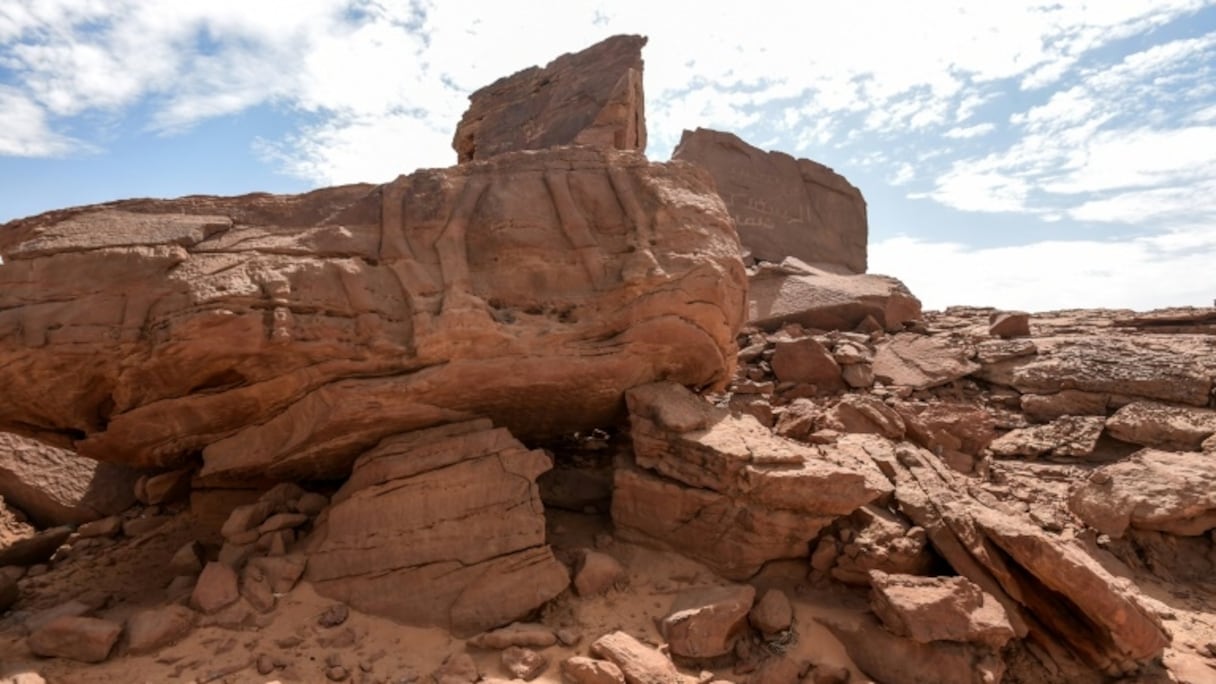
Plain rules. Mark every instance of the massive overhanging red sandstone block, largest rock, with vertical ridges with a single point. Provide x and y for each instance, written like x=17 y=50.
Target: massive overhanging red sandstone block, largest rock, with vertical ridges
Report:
x=284 y=335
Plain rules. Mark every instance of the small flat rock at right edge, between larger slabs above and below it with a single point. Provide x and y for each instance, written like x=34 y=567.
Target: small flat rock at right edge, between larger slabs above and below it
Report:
x=1163 y=427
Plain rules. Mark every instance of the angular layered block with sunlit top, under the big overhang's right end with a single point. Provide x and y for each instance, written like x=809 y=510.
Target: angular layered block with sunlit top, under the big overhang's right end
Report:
x=724 y=491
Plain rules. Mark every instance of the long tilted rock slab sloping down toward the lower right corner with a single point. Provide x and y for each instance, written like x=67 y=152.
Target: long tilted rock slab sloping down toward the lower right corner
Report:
x=1054 y=591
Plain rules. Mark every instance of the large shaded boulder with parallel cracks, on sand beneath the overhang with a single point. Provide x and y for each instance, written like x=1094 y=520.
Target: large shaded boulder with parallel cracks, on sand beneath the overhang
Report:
x=454 y=509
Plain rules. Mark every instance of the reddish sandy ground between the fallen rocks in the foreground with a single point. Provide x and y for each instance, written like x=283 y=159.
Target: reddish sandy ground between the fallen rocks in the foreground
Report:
x=131 y=575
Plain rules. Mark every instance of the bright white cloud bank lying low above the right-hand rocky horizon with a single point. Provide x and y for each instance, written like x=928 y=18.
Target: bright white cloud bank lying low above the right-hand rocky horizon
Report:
x=1139 y=274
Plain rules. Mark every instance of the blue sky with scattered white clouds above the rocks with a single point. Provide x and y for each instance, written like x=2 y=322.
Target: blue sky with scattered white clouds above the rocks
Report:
x=1024 y=155
